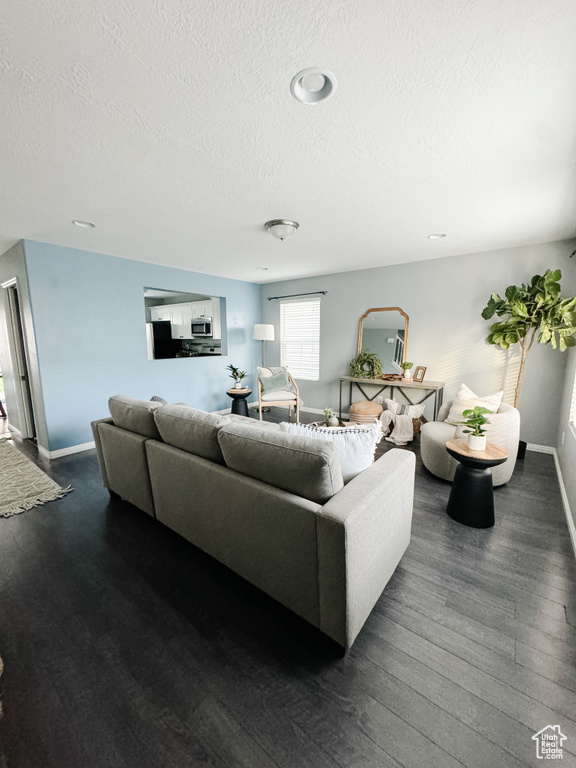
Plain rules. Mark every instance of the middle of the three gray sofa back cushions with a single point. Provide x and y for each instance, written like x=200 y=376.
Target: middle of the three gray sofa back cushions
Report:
x=191 y=430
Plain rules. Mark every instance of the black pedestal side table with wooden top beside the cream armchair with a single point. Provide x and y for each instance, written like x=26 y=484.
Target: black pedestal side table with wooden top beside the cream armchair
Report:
x=471 y=499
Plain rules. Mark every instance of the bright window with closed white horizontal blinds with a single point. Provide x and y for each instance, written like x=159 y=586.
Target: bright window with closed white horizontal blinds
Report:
x=300 y=338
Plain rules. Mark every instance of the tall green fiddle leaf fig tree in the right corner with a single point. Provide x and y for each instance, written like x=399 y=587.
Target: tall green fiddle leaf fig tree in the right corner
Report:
x=532 y=311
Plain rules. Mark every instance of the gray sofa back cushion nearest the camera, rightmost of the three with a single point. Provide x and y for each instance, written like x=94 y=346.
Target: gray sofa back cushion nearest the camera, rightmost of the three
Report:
x=299 y=465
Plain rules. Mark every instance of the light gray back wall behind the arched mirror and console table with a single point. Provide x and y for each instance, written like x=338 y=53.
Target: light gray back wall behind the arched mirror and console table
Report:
x=444 y=299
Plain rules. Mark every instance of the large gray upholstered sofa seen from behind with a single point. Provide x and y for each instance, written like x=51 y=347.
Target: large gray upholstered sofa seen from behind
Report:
x=271 y=506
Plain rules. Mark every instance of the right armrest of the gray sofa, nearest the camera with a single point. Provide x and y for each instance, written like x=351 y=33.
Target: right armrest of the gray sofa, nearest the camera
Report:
x=362 y=533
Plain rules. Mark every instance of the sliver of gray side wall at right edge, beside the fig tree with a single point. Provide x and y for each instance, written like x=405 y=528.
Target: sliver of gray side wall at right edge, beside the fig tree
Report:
x=566 y=438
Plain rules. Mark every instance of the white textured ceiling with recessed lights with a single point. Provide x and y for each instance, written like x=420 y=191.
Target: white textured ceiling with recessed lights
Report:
x=170 y=125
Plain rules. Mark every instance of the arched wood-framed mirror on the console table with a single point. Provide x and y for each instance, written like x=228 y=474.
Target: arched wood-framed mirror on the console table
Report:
x=384 y=331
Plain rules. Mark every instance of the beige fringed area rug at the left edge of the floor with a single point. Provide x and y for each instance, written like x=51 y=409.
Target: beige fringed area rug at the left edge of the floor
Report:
x=23 y=485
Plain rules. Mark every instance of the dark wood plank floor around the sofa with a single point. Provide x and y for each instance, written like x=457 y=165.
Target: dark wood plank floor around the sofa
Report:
x=126 y=646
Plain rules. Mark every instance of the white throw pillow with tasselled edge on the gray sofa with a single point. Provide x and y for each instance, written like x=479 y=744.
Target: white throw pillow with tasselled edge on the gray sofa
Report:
x=356 y=446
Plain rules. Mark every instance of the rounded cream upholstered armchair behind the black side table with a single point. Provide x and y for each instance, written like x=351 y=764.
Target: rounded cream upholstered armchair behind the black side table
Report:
x=503 y=430
